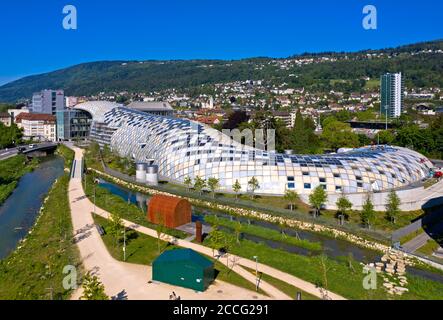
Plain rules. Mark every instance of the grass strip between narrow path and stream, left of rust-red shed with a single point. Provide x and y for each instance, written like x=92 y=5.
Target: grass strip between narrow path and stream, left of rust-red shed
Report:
x=114 y=204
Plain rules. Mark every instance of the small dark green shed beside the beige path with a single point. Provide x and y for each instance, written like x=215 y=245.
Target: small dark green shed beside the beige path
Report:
x=185 y=268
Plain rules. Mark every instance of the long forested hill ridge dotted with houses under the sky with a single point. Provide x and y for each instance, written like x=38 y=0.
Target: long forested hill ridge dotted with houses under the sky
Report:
x=422 y=64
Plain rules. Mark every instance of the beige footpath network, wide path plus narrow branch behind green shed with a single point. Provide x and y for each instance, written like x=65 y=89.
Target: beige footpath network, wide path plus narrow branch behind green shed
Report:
x=132 y=280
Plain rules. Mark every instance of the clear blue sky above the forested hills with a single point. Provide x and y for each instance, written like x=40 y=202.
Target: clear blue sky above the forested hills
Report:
x=33 y=40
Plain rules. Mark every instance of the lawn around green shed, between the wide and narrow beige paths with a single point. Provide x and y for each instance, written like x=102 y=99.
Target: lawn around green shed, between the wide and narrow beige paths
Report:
x=143 y=249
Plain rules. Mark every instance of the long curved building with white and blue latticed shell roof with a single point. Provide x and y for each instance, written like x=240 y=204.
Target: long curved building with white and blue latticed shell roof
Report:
x=184 y=148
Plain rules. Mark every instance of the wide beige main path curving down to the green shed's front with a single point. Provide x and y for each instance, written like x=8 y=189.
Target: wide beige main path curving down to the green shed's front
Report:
x=125 y=280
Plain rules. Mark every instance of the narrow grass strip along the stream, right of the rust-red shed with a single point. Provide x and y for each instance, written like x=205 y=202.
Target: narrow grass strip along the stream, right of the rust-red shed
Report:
x=265 y=233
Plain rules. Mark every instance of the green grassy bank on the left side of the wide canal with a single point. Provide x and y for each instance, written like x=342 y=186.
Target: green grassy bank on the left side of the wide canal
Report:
x=11 y=170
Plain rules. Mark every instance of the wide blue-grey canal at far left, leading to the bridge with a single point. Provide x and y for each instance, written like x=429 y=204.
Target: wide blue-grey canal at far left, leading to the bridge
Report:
x=19 y=212
